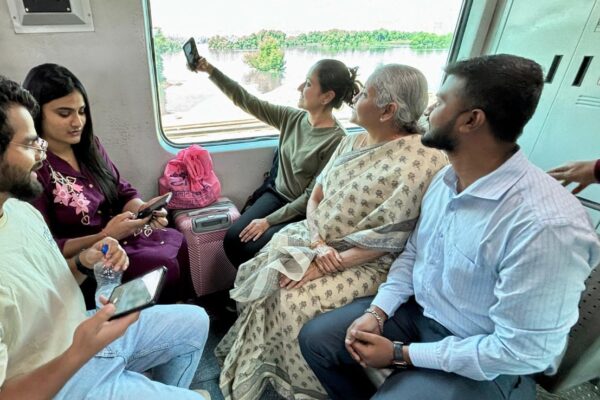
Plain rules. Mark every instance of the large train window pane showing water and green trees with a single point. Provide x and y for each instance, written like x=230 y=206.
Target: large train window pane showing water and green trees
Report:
x=269 y=45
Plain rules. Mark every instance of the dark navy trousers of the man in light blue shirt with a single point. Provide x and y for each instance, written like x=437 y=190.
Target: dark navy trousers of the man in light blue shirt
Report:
x=322 y=345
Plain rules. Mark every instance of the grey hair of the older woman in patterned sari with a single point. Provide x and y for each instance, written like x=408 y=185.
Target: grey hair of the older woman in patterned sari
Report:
x=405 y=86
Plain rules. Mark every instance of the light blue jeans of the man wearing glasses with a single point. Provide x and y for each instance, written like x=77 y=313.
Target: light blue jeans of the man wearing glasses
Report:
x=167 y=341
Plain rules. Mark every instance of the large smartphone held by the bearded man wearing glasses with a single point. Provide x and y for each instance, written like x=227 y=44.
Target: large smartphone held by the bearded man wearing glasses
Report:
x=139 y=293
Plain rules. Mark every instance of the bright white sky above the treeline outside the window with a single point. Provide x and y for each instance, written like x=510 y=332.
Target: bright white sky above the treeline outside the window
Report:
x=240 y=17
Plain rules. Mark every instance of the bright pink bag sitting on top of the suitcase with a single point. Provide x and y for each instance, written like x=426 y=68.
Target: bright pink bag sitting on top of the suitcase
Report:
x=191 y=179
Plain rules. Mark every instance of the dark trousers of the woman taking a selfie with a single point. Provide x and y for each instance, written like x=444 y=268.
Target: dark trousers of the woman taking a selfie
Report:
x=238 y=252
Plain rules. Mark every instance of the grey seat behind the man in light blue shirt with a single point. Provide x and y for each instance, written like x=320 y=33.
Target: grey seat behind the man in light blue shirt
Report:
x=581 y=361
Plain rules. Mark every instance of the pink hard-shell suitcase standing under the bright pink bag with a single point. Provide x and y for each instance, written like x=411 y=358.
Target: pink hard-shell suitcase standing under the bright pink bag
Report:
x=204 y=230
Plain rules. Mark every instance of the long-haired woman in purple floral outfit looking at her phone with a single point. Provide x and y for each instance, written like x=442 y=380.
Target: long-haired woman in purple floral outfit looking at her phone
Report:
x=85 y=198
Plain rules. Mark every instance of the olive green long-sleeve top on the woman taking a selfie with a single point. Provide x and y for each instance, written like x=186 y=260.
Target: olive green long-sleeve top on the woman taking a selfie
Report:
x=303 y=149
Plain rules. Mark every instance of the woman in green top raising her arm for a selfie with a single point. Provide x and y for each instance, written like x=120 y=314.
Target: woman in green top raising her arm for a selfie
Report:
x=308 y=137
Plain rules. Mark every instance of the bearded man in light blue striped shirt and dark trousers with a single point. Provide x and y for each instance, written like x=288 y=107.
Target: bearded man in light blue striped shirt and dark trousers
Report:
x=488 y=285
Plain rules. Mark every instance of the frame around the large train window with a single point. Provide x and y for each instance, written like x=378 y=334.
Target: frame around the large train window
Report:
x=271 y=140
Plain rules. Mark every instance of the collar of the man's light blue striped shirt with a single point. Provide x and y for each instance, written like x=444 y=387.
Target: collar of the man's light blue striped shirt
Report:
x=493 y=185
